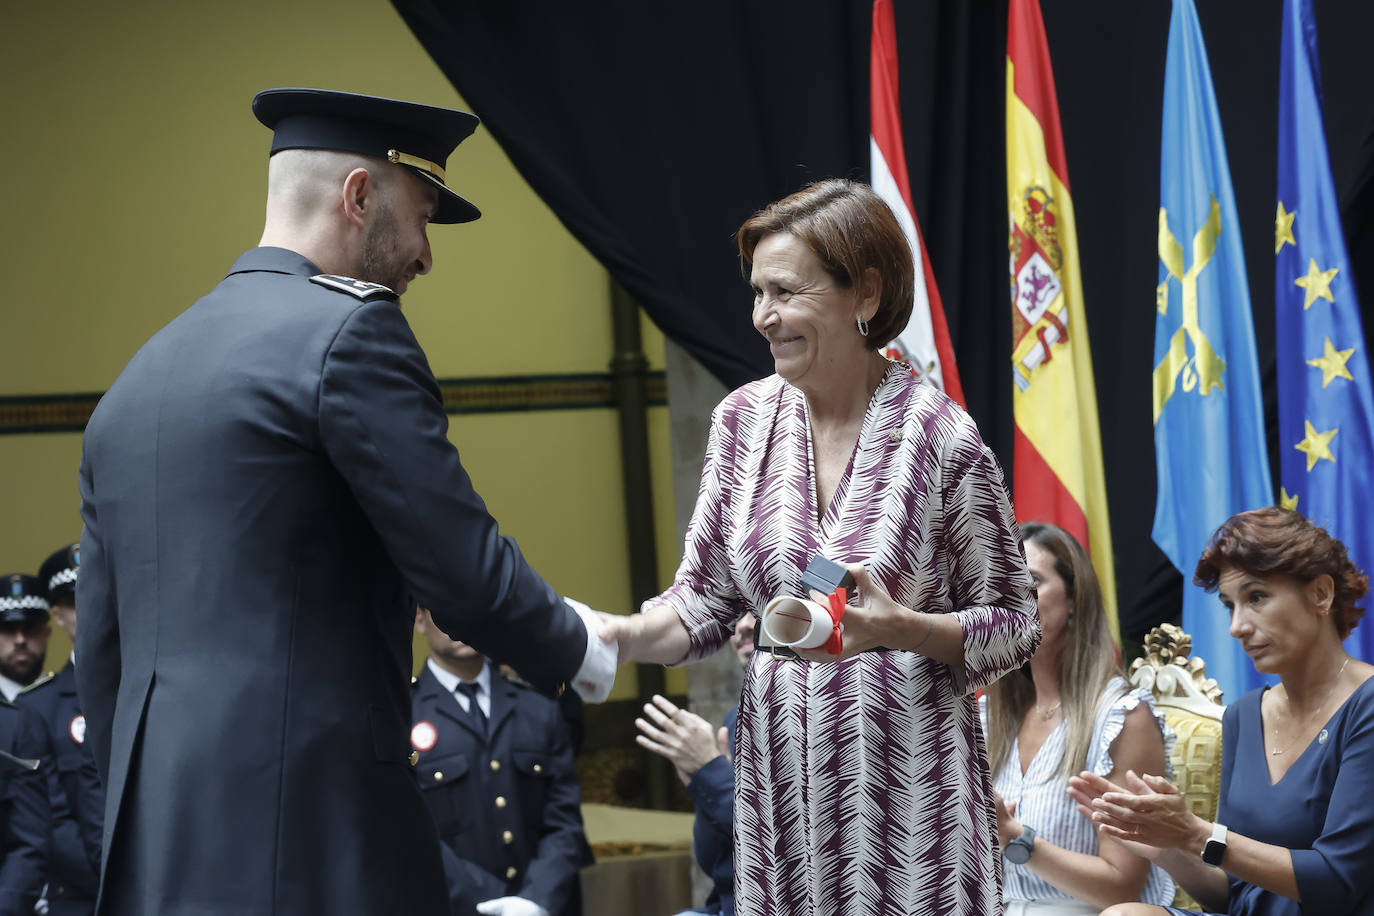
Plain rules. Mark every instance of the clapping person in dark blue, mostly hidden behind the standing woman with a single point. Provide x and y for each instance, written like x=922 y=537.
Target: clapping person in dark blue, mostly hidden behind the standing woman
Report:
x=703 y=760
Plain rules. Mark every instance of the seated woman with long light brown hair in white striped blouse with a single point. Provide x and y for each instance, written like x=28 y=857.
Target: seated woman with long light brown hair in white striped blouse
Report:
x=1070 y=711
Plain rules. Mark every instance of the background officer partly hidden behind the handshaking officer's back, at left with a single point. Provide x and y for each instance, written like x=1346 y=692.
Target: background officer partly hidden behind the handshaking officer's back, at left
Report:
x=75 y=789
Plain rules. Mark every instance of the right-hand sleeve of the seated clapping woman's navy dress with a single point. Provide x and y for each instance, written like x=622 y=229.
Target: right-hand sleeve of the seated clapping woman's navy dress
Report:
x=1335 y=877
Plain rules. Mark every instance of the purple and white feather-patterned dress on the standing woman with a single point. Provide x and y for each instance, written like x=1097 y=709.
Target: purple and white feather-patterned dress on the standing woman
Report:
x=862 y=786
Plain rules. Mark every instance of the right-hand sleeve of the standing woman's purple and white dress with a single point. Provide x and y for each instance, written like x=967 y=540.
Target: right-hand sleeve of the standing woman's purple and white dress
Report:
x=990 y=586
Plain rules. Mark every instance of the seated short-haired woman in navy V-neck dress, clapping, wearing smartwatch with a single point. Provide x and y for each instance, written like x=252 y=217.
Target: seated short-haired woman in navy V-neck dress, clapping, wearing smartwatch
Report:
x=1295 y=823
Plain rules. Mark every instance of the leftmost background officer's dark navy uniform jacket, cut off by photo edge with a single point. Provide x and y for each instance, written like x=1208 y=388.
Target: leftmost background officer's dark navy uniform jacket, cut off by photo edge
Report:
x=24 y=812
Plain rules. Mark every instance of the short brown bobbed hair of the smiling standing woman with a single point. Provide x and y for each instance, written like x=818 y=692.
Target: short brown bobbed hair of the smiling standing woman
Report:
x=851 y=231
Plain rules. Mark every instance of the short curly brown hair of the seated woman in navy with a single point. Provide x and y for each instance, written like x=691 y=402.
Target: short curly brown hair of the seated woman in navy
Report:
x=1274 y=542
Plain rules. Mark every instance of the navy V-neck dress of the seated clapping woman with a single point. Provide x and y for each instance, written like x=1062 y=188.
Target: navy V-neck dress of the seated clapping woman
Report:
x=1322 y=811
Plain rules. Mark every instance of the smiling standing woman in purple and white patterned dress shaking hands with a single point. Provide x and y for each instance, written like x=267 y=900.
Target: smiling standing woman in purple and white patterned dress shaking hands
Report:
x=862 y=779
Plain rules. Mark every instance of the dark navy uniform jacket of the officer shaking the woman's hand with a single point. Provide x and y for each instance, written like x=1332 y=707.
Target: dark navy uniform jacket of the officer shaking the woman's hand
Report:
x=267 y=490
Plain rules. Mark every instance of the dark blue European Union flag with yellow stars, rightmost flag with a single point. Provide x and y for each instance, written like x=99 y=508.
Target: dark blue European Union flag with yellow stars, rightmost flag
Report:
x=1327 y=403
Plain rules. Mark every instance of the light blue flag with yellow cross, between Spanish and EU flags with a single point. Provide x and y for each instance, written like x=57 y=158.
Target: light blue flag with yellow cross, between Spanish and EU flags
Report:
x=1208 y=422
